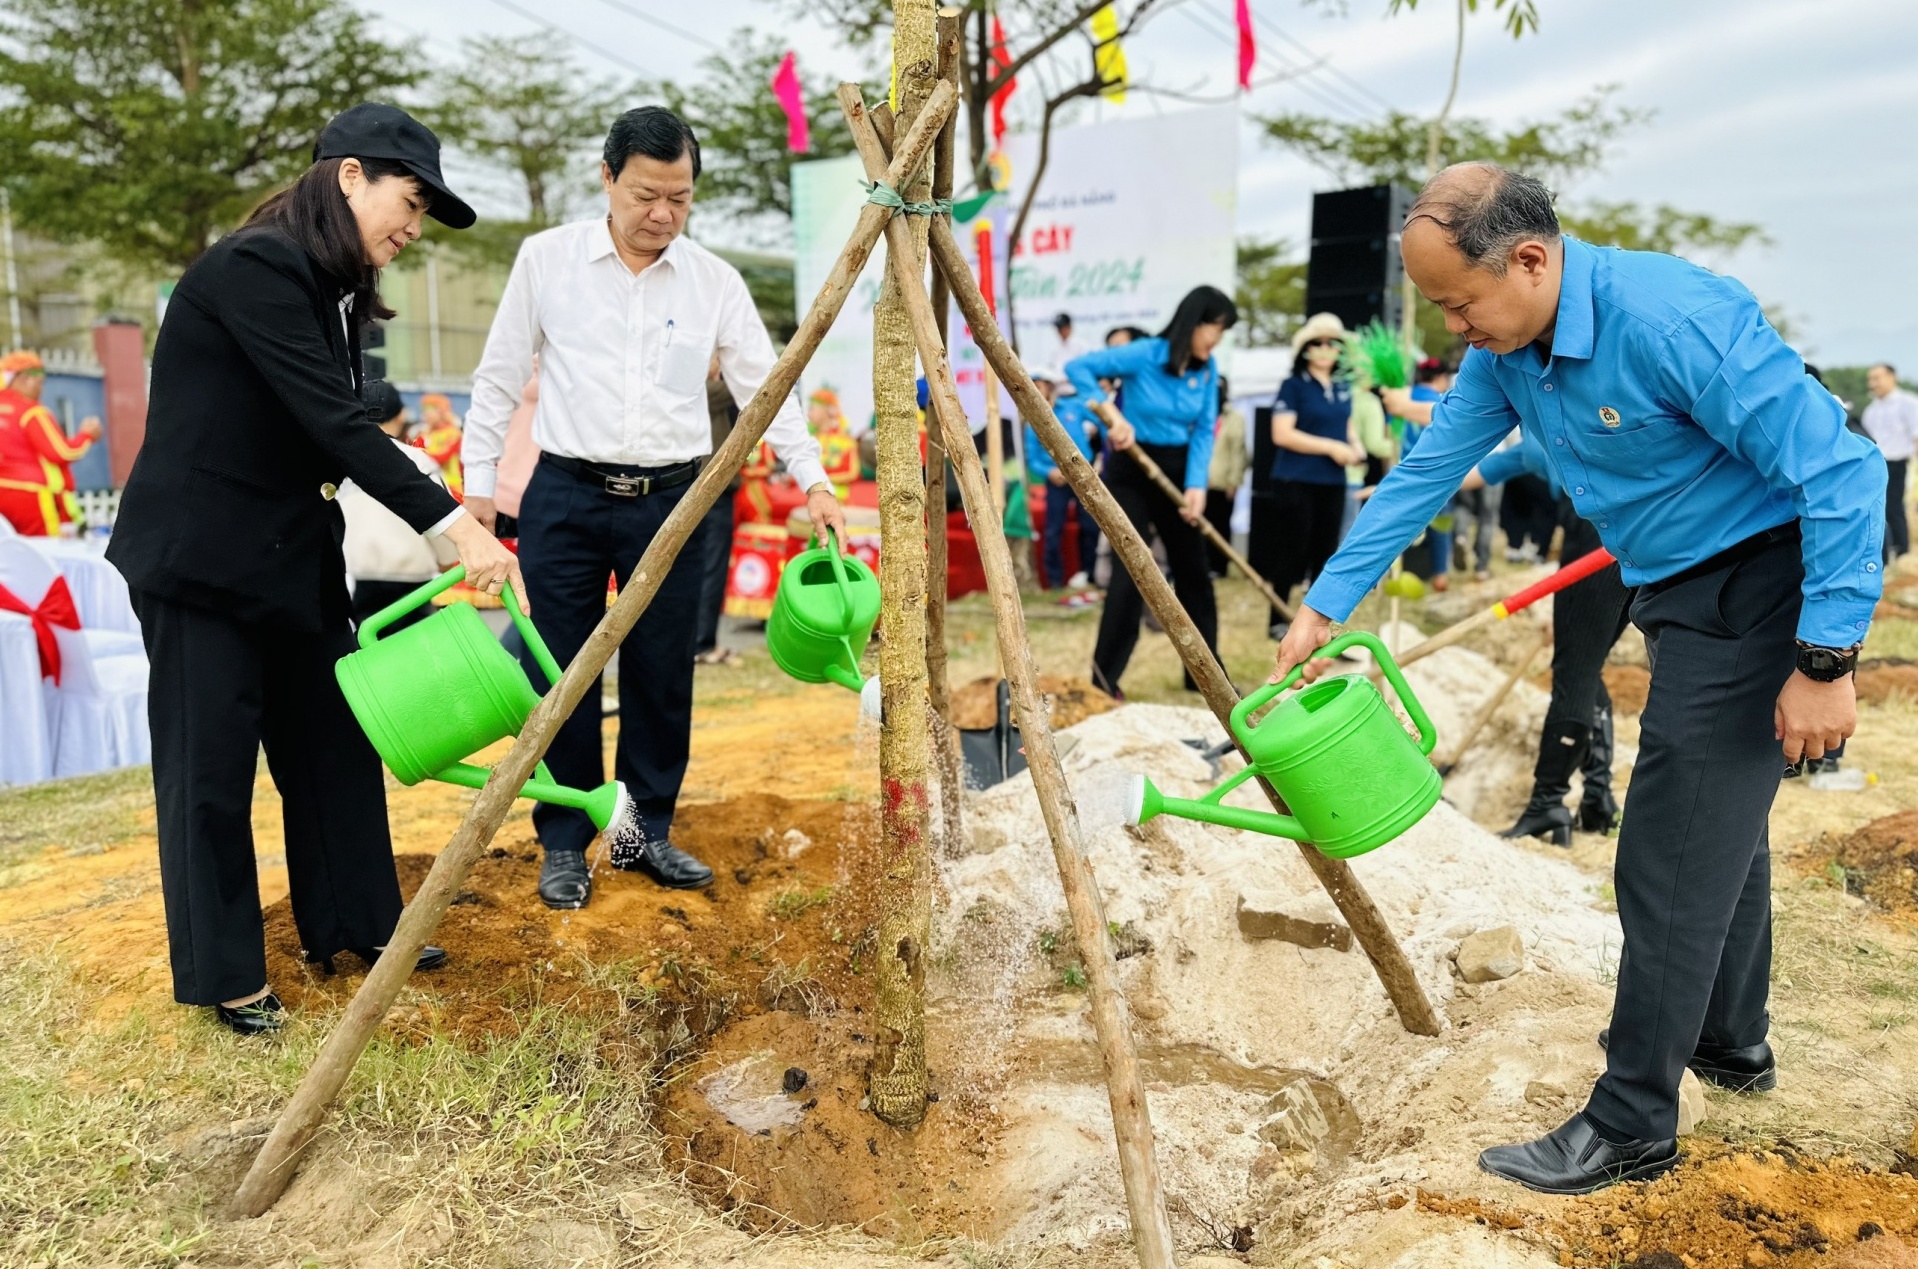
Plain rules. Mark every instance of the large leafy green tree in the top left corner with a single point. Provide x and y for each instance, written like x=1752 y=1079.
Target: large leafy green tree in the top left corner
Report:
x=151 y=127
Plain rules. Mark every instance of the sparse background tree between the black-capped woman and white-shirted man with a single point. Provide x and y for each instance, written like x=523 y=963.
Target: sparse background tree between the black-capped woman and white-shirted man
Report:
x=525 y=108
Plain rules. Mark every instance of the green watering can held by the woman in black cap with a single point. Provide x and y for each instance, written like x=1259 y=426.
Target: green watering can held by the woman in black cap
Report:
x=444 y=689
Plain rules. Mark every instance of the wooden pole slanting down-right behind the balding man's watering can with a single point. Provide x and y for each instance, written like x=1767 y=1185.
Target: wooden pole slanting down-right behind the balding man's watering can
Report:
x=1361 y=913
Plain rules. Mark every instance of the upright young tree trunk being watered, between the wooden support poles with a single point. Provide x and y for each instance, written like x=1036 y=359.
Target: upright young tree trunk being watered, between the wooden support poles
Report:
x=899 y=1080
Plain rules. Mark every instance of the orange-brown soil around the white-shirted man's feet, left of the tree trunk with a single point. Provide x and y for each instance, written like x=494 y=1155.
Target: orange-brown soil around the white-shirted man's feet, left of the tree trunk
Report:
x=782 y=927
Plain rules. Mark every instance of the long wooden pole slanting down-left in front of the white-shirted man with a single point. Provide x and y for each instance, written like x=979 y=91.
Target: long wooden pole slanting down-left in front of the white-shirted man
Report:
x=316 y=1096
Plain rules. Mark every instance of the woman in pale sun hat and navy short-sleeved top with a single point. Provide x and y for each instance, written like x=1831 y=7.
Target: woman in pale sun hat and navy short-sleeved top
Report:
x=1317 y=442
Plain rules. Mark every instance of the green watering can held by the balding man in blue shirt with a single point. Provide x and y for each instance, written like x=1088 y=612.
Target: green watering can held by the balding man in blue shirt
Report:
x=1338 y=756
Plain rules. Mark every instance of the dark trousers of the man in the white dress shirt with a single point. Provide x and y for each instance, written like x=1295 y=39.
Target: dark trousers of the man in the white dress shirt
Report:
x=573 y=538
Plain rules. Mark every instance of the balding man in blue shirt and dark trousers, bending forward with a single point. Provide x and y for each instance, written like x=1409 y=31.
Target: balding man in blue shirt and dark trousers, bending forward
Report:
x=1750 y=522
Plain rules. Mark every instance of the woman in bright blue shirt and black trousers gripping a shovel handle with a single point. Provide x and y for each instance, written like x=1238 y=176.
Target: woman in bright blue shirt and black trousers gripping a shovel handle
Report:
x=1169 y=386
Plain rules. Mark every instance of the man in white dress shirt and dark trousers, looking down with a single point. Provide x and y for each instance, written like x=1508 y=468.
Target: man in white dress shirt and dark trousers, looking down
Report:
x=626 y=317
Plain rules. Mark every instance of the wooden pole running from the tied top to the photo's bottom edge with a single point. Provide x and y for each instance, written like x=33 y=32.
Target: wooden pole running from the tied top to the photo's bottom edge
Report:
x=1138 y=1163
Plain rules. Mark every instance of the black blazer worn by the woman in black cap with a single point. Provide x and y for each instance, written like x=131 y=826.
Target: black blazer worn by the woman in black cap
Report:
x=252 y=425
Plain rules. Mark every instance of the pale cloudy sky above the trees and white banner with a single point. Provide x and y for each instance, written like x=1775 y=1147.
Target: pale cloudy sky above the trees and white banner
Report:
x=1800 y=118
